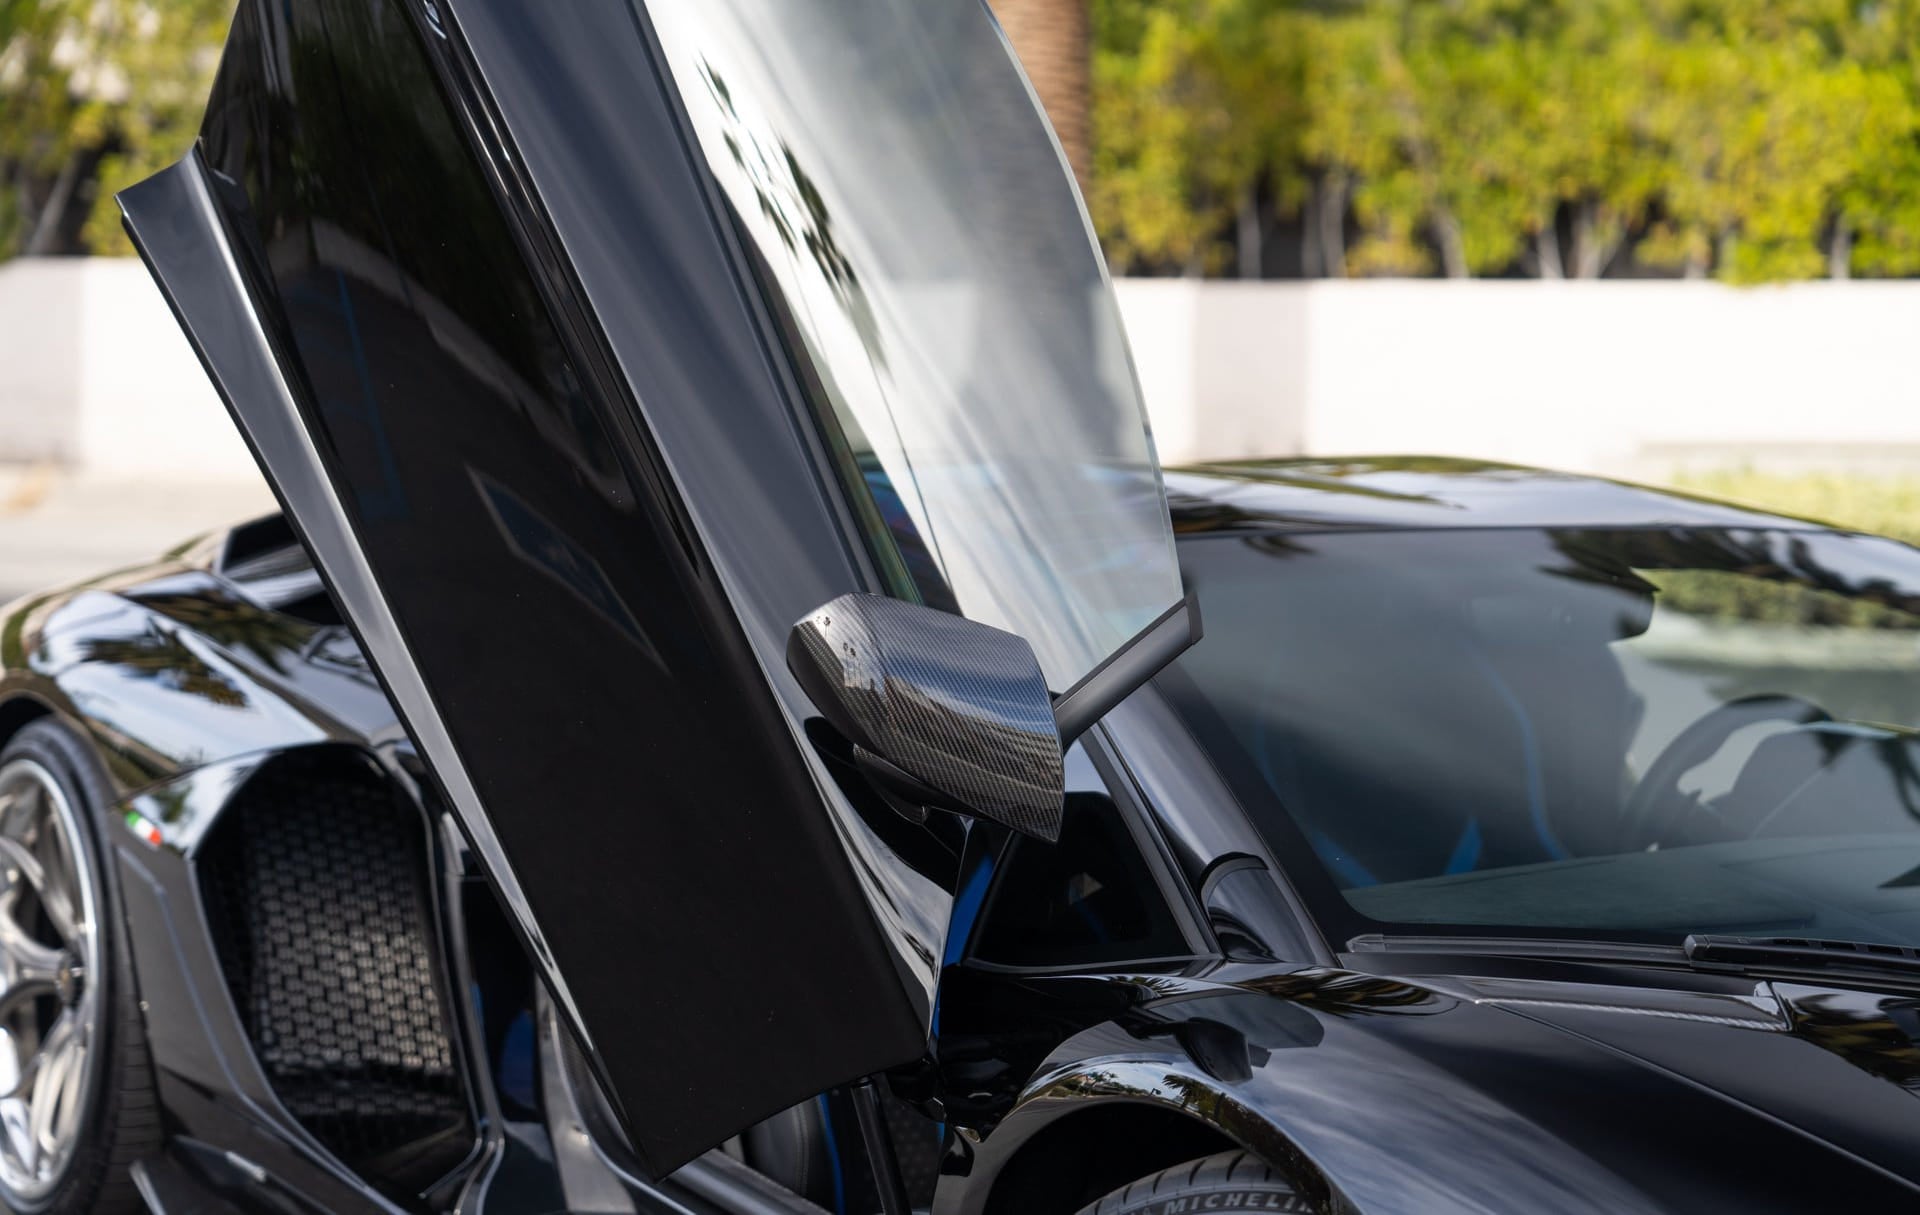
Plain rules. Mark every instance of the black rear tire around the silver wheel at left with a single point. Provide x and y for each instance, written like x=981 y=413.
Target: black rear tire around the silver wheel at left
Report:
x=122 y=1116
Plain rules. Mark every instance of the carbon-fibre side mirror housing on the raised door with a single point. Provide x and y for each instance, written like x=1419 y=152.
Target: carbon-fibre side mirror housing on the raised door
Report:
x=944 y=713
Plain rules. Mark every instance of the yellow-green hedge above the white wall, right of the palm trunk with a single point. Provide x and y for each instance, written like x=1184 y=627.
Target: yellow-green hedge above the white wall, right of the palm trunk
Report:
x=1748 y=139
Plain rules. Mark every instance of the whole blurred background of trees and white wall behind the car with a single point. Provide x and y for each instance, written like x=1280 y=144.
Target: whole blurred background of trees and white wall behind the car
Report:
x=1673 y=241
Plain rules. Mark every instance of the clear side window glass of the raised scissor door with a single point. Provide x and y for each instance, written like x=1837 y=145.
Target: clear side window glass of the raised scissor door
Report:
x=936 y=281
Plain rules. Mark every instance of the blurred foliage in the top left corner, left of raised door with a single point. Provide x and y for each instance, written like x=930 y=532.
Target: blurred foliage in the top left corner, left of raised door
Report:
x=95 y=95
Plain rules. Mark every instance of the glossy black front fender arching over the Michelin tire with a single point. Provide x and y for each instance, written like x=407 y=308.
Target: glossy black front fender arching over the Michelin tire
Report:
x=1406 y=1101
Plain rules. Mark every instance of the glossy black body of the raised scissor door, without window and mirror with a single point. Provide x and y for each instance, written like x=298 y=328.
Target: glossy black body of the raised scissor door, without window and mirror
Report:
x=560 y=625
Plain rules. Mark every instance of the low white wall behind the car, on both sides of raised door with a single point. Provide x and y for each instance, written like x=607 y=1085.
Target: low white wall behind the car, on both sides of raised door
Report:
x=1612 y=377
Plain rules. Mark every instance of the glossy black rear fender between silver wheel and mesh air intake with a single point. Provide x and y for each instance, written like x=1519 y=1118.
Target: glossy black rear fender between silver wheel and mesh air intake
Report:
x=187 y=686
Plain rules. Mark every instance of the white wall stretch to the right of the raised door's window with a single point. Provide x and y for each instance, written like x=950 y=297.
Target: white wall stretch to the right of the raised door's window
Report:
x=1610 y=377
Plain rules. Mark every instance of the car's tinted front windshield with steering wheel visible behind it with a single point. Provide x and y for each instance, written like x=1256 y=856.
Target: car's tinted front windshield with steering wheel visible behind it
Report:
x=1625 y=734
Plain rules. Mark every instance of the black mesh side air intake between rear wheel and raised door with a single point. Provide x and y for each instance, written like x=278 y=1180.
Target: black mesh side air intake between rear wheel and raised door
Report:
x=318 y=899
